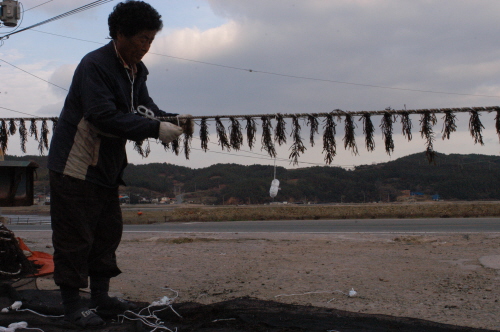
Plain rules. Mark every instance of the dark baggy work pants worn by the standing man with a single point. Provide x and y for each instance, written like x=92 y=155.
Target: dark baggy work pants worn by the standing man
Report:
x=86 y=230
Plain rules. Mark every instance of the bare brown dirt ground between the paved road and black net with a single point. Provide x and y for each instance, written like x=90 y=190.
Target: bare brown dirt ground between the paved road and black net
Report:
x=446 y=278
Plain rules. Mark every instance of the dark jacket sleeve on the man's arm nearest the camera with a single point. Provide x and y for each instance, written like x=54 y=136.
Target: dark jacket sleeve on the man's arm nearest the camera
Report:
x=105 y=104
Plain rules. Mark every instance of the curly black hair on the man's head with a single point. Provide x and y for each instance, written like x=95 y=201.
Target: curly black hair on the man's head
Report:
x=131 y=17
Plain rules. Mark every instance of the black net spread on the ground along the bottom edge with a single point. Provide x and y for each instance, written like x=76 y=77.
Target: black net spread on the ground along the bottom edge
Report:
x=242 y=314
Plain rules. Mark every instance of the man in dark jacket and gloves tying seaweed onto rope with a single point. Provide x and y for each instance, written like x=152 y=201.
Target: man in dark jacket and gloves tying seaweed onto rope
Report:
x=87 y=157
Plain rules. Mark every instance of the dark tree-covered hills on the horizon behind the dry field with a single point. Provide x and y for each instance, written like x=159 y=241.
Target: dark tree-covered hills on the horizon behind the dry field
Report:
x=452 y=177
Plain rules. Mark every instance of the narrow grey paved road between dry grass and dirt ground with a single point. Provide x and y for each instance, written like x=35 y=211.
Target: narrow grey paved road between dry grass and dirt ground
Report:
x=437 y=225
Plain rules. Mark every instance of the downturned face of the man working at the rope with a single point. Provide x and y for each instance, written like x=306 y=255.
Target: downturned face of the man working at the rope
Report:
x=133 y=49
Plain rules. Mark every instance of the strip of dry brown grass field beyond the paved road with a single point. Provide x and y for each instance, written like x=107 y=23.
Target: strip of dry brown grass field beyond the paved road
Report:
x=150 y=213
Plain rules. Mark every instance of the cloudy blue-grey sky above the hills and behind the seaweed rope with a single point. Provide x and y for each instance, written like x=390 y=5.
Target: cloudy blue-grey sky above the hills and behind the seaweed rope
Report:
x=234 y=57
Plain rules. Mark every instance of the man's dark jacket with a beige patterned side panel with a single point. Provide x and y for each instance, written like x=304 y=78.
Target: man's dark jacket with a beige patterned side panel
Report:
x=97 y=120
